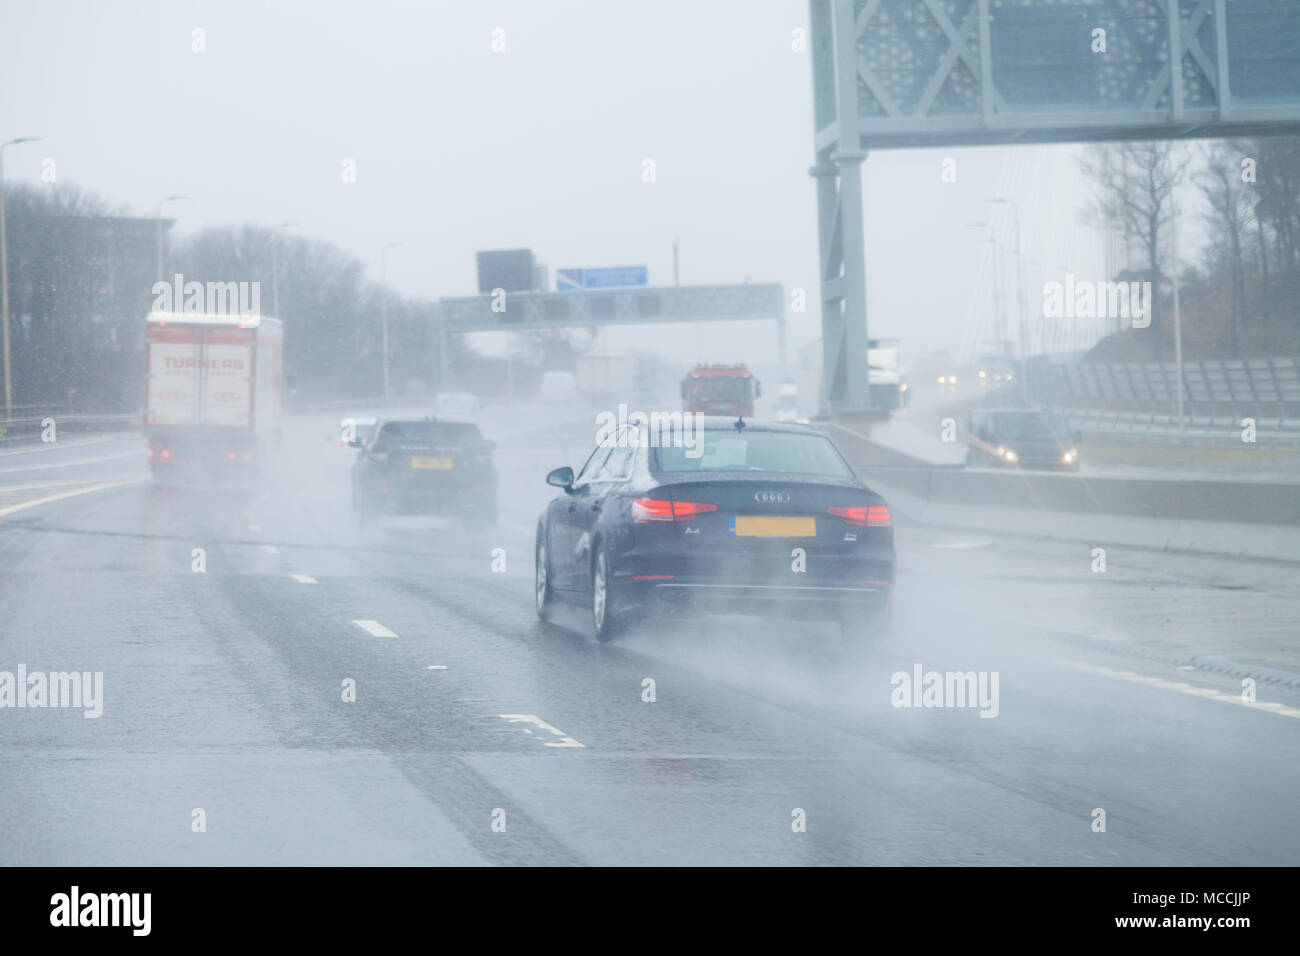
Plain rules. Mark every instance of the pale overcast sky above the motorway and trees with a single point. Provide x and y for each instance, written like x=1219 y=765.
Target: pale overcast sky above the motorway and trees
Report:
x=461 y=149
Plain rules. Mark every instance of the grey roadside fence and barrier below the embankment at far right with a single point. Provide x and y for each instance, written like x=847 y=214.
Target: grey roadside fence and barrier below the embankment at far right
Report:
x=1139 y=400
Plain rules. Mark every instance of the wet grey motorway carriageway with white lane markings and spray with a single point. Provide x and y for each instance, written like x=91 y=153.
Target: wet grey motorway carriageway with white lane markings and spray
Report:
x=224 y=693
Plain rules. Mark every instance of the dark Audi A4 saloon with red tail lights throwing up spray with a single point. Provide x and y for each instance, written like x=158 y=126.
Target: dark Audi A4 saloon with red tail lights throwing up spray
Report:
x=752 y=518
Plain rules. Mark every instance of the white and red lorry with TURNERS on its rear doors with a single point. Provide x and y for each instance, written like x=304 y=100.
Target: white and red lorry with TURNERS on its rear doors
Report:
x=213 y=396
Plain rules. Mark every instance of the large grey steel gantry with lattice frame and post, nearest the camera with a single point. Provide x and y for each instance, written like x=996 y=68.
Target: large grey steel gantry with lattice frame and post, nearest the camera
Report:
x=917 y=73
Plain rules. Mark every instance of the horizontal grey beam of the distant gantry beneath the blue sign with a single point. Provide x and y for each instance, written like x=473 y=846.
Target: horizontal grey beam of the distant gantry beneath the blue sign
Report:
x=518 y=312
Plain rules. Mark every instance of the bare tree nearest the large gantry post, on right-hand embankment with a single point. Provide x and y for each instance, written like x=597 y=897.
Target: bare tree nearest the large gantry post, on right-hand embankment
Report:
x=1133 y=185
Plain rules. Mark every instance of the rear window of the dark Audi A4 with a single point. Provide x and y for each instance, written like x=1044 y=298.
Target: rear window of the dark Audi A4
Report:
x=788 y=453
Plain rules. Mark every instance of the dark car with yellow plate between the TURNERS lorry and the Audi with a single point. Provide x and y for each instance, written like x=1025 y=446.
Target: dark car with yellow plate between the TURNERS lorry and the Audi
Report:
x=426 y=466
